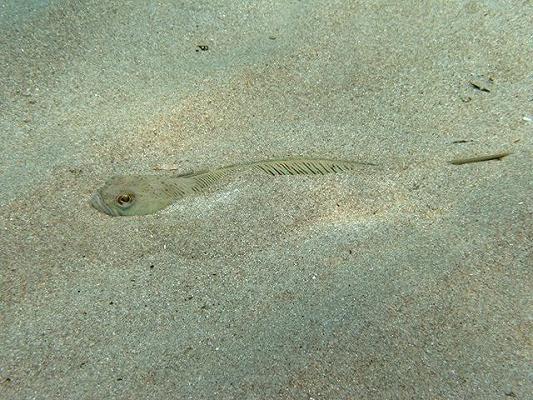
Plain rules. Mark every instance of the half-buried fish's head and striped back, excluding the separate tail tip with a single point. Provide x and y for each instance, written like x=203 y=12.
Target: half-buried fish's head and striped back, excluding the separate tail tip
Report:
x=146 y=194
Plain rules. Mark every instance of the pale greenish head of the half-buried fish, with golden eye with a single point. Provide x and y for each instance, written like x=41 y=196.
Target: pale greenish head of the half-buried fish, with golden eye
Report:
x=133 y=195
